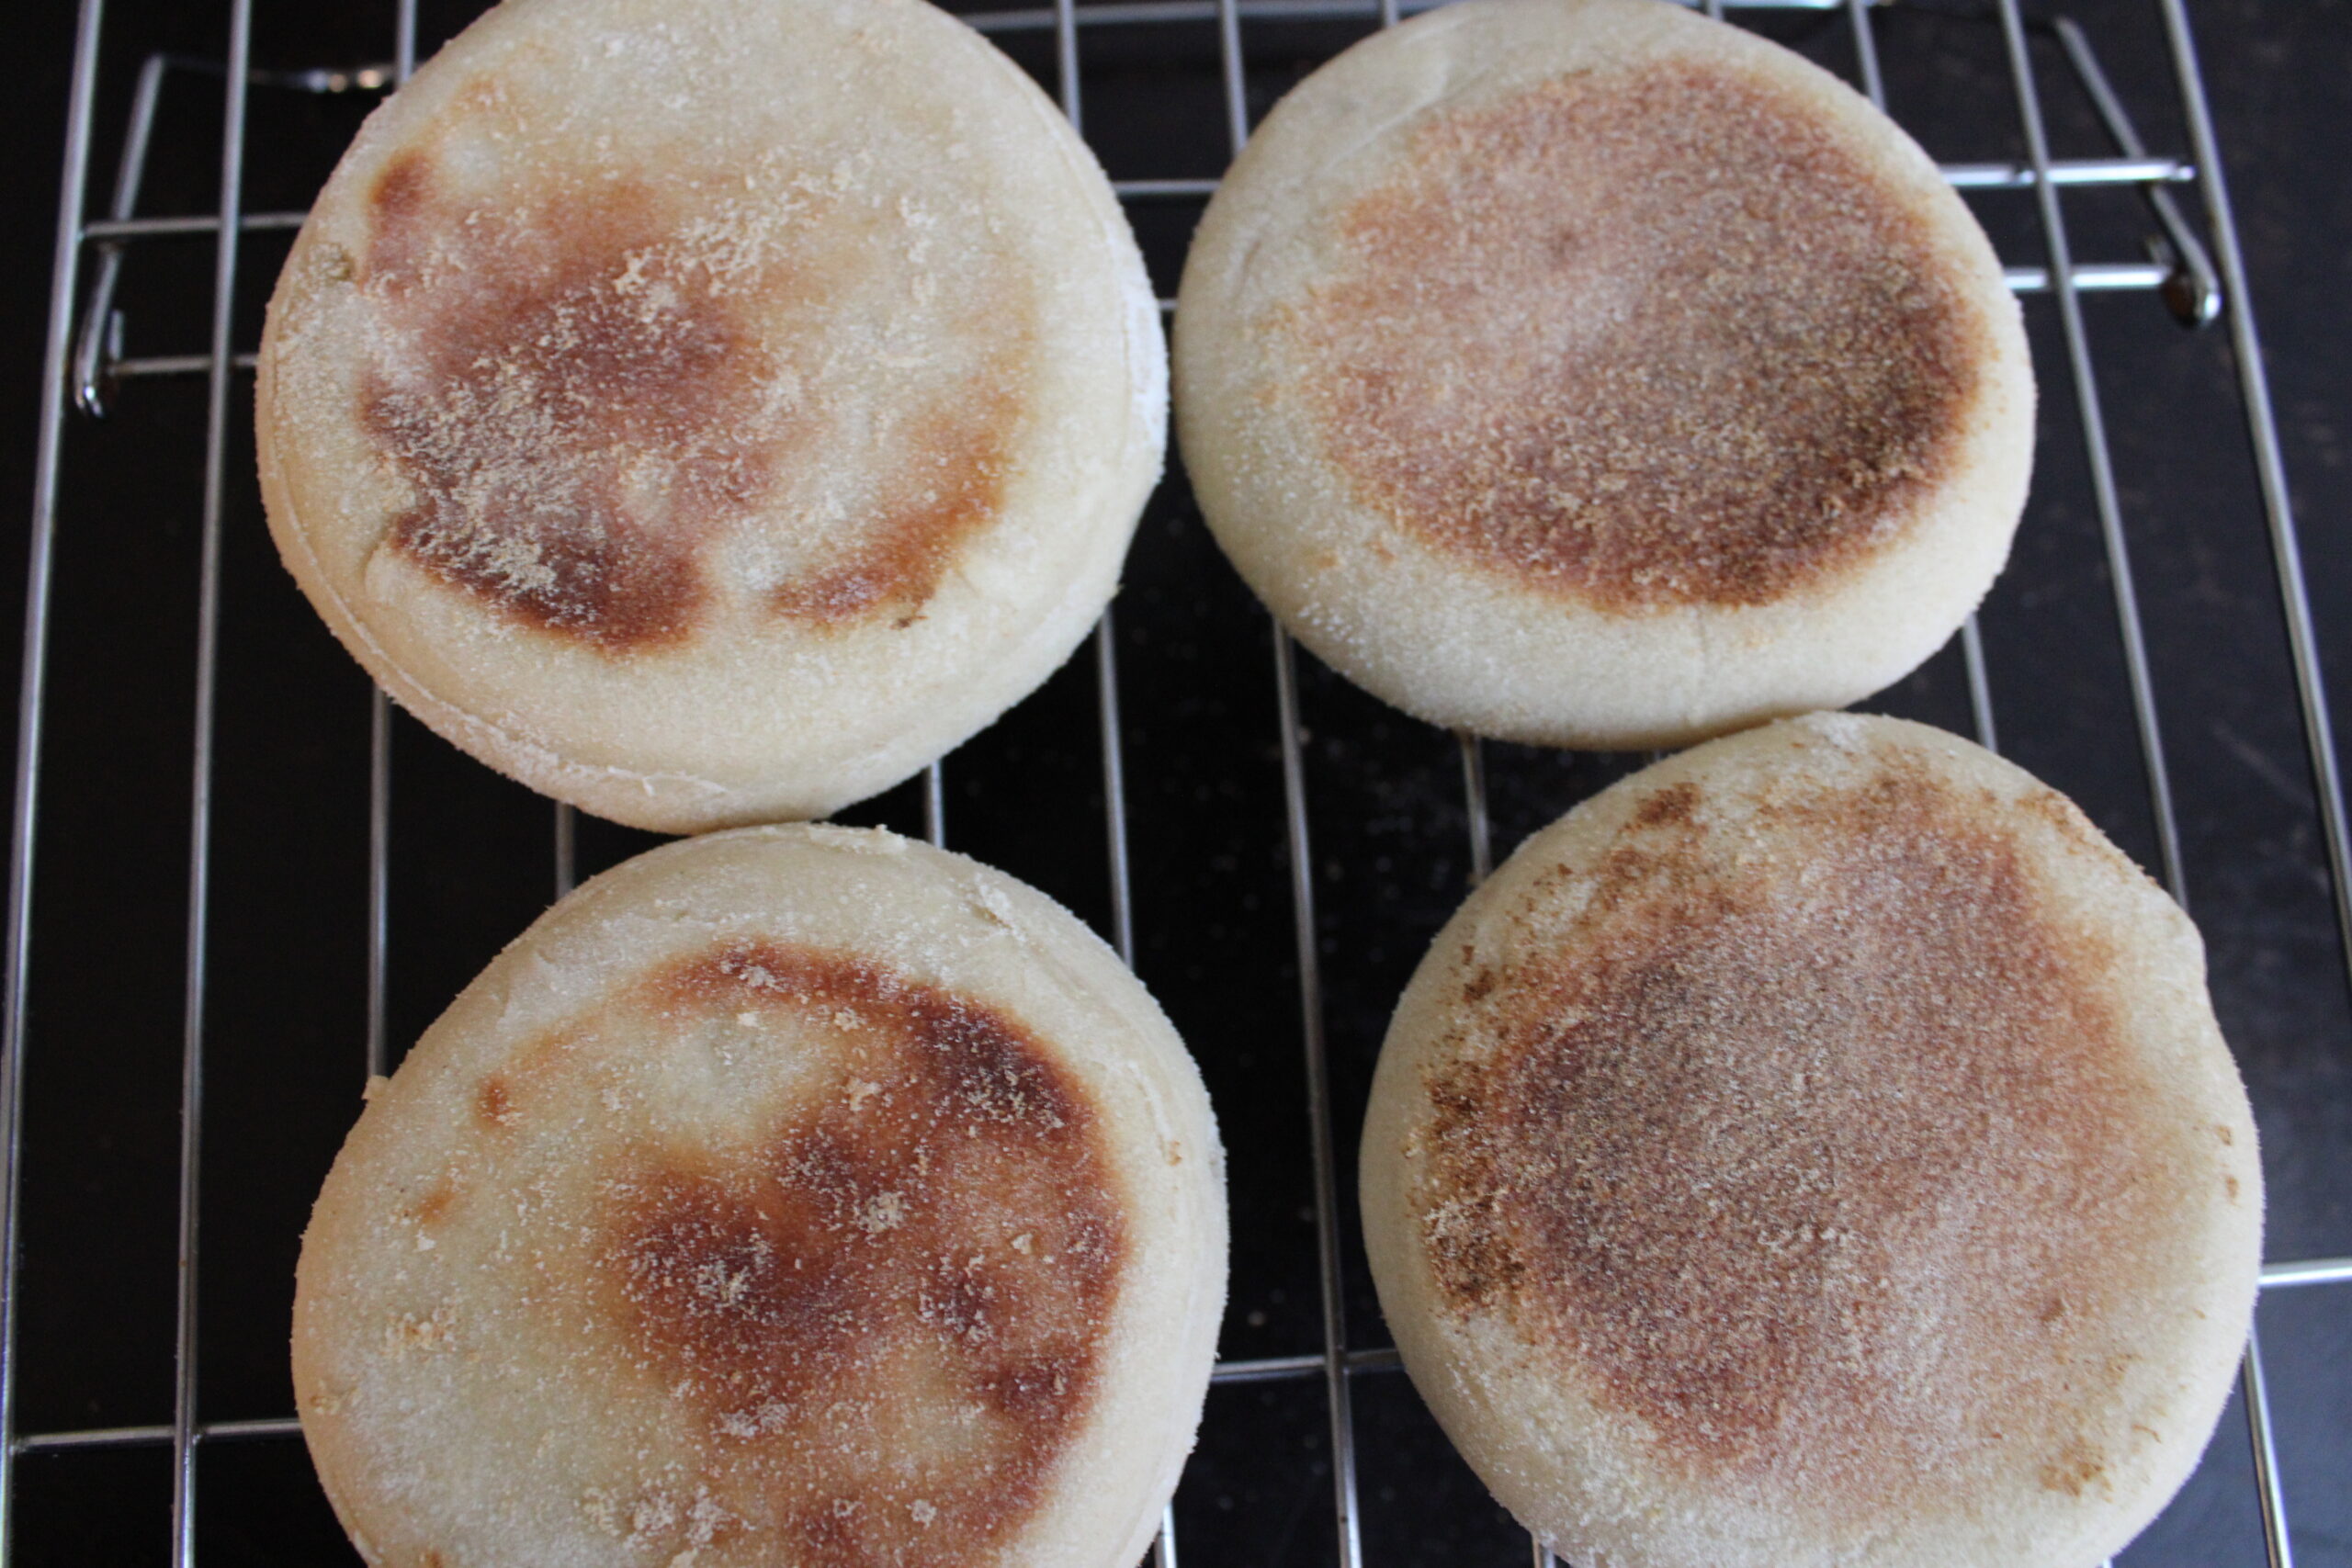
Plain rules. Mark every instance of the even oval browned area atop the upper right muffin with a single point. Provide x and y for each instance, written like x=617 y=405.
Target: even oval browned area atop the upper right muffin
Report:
x=1643 y=340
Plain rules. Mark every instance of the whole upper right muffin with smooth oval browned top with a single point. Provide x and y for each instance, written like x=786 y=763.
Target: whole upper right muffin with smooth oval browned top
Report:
x=1589 y=373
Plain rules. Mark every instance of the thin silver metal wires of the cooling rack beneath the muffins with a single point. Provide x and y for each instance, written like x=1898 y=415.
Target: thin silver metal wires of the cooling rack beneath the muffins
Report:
x=2200 y=281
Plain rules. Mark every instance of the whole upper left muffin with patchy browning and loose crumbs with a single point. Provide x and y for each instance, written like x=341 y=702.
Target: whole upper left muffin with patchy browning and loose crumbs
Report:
x=711 y=410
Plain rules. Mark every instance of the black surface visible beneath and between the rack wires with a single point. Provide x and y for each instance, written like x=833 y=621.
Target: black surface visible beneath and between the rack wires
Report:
x=1212 y=887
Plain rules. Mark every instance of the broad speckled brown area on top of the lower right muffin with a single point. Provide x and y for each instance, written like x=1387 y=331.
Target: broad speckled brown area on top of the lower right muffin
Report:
x=1826 y=1167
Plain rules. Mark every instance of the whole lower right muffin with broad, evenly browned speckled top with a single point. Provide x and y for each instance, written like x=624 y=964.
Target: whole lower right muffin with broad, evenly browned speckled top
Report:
x=1817 y=1151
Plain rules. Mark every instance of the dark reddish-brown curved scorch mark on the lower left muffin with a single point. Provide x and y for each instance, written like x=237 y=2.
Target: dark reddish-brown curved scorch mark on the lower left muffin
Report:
x=890 y=1313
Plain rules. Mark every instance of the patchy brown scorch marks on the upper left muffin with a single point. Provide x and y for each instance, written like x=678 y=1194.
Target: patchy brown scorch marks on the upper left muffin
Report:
x=594 y=391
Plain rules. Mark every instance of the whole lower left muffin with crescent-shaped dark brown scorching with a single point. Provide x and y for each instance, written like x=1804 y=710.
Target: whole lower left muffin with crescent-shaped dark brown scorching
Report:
x=791 y=1198
